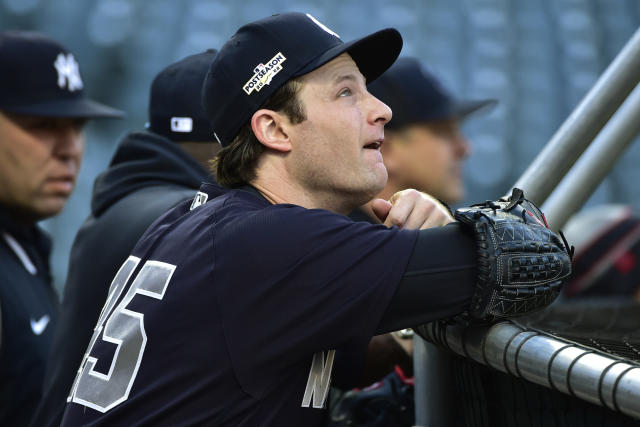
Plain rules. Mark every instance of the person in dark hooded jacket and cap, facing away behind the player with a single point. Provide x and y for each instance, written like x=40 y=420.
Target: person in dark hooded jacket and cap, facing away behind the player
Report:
x=151 y=171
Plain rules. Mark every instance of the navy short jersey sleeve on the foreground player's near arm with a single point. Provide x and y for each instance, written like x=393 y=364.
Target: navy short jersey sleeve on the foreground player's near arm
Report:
x=305 y=281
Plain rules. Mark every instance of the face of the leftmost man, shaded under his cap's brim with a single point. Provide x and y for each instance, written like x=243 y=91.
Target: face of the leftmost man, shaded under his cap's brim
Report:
x=39 y=162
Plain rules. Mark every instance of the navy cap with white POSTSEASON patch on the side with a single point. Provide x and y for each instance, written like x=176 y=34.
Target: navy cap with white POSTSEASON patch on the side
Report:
x=265 y=54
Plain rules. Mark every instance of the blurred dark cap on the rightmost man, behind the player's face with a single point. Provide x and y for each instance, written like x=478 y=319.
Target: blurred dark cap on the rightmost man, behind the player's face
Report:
x=414 y=95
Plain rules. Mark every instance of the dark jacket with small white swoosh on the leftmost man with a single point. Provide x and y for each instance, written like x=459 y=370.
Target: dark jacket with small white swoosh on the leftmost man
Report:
x=28 y=315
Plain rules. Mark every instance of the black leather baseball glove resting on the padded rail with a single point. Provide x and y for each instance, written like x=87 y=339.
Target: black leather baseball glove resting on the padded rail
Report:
x=521 y=263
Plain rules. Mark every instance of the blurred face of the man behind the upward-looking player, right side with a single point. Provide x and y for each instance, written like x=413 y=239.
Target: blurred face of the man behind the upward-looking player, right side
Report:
x=428 y=157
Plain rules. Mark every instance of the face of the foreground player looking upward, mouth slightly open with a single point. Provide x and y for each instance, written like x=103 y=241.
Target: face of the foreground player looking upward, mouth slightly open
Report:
x=336 y=150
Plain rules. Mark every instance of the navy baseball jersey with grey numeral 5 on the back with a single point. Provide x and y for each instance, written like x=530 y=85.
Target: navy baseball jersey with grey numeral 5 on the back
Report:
x=229 y=314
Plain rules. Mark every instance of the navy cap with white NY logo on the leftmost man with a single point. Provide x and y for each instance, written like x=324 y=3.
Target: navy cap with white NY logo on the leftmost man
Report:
x=38 y=76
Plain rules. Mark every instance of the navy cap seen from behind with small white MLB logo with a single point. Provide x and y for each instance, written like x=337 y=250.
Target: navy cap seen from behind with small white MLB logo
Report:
x=175 y=108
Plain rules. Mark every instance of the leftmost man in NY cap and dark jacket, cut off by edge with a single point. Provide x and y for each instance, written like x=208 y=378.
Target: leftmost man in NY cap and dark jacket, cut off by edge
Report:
x=43 y=108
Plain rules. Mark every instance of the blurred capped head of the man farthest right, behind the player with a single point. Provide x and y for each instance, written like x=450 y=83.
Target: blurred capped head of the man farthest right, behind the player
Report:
x=424 y=145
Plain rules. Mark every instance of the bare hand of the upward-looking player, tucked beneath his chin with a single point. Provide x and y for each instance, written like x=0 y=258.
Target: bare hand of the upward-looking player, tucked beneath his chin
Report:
x=411 y=210
